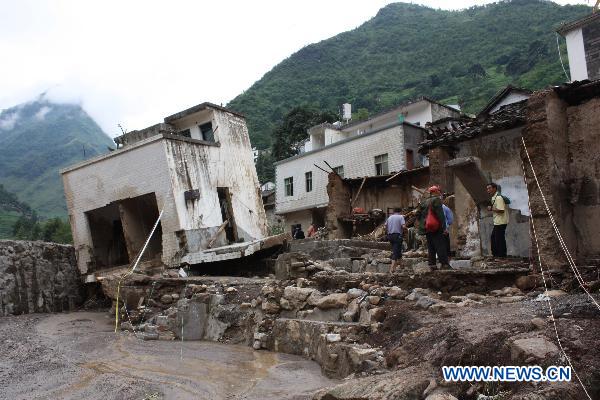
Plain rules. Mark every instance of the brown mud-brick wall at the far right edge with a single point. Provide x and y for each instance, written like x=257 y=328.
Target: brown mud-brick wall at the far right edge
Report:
x=563 y=128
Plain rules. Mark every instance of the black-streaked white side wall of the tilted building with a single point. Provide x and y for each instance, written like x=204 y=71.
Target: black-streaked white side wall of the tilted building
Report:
x=230 y=165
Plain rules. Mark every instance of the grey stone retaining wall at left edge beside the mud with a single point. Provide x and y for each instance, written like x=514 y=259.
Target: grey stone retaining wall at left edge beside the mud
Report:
x=38 y=277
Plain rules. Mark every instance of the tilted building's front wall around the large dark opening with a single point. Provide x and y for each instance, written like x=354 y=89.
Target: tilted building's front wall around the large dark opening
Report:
x=140 y=169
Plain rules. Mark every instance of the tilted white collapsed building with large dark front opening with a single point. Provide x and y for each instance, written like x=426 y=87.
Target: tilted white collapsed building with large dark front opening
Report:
x=196 y=167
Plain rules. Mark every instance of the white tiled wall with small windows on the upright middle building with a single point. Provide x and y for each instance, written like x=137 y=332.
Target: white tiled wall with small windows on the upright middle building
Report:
x=357 y=156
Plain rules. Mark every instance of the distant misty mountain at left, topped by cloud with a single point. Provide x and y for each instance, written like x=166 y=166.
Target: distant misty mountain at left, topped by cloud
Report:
x=36 y=140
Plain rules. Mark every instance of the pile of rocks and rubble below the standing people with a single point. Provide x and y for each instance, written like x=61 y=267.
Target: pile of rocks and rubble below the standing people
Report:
x=336 y=303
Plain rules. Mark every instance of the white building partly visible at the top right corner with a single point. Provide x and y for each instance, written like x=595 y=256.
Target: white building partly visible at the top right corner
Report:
x=583 y=46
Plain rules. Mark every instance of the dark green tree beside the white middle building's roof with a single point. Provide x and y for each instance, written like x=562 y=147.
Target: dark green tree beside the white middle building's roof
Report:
x=289 y=135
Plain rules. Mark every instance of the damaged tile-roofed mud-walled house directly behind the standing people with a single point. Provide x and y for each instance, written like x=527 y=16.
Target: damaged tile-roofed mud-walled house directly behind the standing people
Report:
x=466 y=154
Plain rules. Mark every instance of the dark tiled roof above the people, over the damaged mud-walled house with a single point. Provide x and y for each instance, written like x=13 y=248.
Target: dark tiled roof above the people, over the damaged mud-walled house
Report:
x=507 y=117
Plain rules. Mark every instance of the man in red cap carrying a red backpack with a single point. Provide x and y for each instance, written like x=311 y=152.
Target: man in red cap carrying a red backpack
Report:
x=432 y=224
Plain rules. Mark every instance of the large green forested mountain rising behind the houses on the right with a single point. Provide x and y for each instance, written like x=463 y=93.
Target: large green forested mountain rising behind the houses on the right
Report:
x=407 y=51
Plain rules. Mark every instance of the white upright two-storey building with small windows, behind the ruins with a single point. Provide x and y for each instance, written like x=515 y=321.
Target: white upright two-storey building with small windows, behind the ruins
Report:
x=383 y=144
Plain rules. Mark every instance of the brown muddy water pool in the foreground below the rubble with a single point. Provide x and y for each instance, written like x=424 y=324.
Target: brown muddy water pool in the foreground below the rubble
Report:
x=178 y=370
